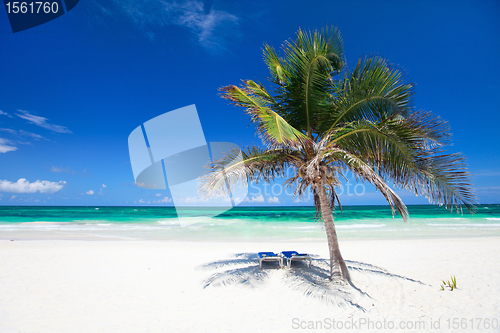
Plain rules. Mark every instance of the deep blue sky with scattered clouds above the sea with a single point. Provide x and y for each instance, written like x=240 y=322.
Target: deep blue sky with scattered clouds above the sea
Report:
x=73 y=89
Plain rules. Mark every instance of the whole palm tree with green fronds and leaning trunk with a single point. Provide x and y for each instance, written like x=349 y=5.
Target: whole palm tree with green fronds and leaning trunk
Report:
x=323 y=120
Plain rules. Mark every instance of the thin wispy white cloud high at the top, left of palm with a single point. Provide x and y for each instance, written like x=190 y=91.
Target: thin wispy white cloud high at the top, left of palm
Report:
x=210 y=25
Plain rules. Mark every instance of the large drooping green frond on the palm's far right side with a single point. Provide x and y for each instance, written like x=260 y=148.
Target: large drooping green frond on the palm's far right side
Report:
x=410 y=152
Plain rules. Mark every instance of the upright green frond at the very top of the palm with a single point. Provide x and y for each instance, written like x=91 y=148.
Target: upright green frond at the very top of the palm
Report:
x=303 y=75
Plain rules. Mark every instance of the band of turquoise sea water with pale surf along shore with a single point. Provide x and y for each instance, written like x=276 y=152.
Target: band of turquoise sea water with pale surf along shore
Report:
x=241 y=223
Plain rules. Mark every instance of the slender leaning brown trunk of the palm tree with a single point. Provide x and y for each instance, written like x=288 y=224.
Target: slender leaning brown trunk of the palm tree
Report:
x=336 y=260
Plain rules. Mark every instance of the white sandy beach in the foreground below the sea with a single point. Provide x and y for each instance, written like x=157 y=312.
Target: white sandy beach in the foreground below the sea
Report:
x=163 y=286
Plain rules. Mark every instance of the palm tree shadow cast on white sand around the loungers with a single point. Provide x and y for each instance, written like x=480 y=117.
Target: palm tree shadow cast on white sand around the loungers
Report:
x=313 y=282
